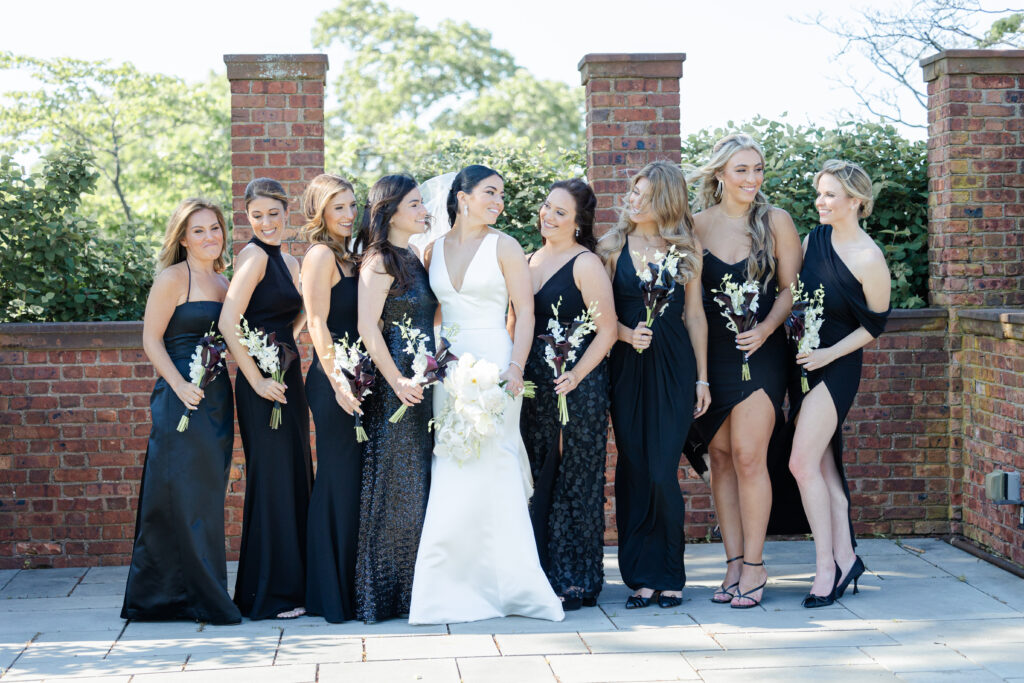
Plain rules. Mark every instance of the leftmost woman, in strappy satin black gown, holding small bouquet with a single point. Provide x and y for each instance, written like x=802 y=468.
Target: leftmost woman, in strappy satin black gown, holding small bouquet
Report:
x=178 y=567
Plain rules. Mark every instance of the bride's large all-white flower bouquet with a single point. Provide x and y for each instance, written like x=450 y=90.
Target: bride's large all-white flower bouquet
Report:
x=474 y=409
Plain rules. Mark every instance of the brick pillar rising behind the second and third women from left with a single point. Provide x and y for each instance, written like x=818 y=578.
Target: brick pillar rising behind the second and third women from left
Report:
x=277 y=130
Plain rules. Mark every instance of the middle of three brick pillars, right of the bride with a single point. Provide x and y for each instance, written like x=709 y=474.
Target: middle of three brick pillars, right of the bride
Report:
x=632 y=119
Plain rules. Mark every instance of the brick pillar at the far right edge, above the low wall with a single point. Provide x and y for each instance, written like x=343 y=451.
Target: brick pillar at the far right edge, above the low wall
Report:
x=976 y=178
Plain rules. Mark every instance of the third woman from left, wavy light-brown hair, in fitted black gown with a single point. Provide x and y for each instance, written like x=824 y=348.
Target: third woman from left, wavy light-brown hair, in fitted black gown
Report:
x=329 y=290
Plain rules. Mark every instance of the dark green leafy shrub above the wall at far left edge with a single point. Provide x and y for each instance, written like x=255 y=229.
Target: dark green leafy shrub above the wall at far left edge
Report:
x=55 y=265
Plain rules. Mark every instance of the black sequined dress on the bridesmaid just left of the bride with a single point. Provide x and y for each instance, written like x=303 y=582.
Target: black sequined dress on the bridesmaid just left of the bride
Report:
x=396 y=465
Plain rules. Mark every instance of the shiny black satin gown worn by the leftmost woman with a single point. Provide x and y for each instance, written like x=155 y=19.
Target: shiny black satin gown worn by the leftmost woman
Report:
x=178 y=566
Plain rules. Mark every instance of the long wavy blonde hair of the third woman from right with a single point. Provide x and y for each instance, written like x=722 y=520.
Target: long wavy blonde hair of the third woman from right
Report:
x=669 y=202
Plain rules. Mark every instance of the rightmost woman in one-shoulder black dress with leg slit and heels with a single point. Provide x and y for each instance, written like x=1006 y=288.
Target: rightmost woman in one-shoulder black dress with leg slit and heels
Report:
x=840 y=257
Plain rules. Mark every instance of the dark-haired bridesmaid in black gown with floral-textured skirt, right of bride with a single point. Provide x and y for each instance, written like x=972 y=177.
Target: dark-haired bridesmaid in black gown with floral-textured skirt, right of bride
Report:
x=568 y=462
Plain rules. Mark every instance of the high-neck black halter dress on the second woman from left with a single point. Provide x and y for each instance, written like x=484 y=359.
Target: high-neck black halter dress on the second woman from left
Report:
x=279 y=467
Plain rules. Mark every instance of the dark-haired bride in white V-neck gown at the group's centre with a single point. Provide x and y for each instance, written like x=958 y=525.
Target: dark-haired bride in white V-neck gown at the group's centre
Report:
x=478 y=558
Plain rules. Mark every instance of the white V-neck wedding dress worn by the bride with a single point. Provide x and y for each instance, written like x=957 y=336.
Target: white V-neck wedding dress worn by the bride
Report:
x=478 y=557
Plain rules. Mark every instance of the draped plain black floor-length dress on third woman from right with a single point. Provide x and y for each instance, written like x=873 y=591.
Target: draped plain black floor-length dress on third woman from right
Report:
x=653 y=397
